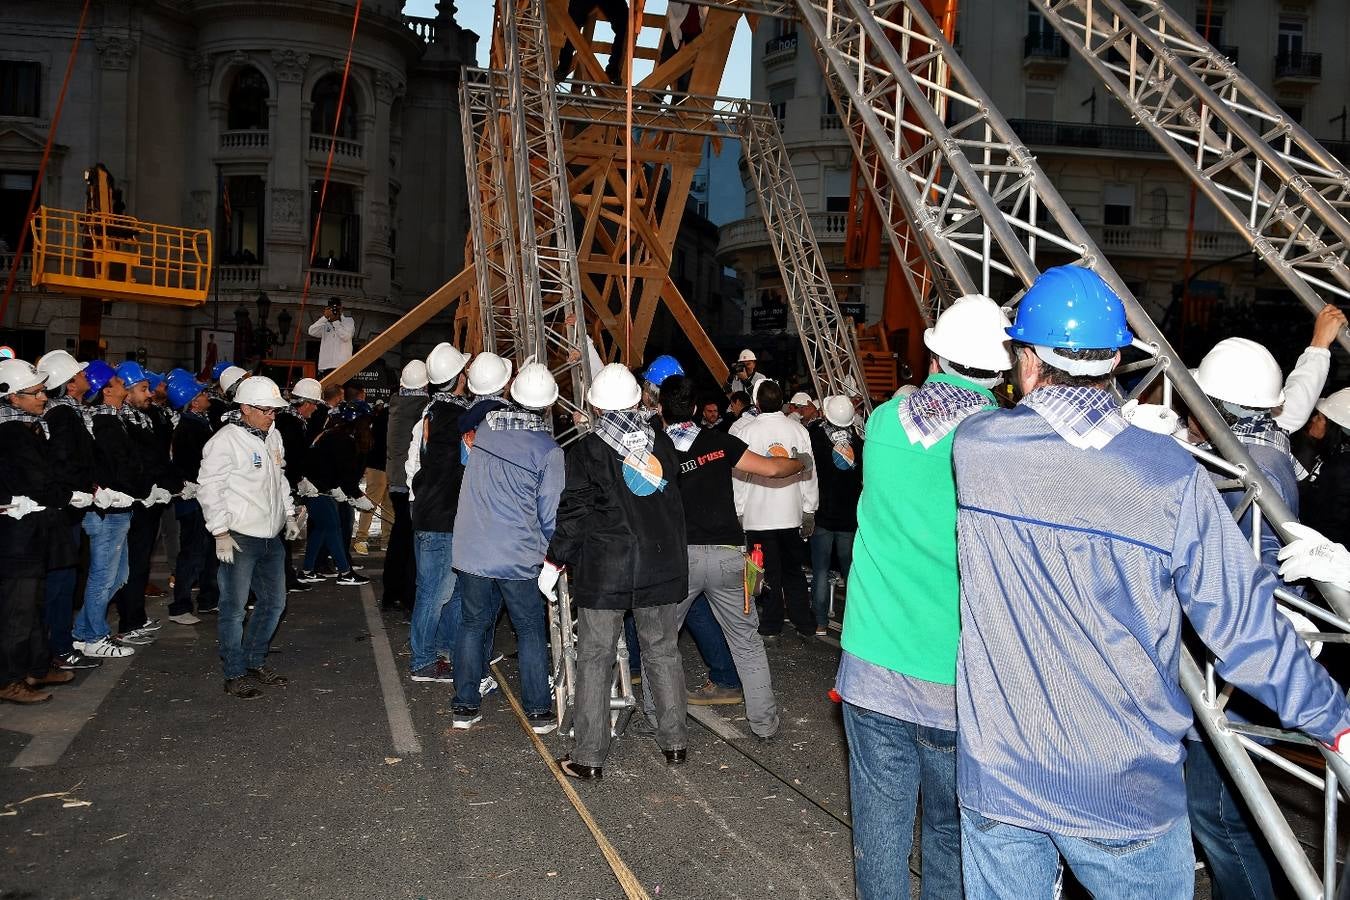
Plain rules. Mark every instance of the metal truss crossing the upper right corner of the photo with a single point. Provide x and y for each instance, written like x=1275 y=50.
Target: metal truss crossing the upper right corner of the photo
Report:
x=1274 y=183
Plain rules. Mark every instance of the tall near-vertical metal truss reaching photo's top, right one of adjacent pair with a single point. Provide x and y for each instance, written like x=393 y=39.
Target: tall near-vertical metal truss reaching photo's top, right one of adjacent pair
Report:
x=551 y=299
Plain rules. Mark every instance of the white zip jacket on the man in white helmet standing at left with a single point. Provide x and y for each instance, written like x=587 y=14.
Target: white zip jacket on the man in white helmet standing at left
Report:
x=242 y=485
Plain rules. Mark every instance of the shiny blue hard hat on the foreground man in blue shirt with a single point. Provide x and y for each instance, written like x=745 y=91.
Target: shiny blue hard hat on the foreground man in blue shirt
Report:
x=1071 y=308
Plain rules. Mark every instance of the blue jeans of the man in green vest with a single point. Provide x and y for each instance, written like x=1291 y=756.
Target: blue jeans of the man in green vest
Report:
x=892 y=766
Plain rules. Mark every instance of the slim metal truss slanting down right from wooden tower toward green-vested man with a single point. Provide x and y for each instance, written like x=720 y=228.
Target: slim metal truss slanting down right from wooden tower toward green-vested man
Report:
x=827 y=338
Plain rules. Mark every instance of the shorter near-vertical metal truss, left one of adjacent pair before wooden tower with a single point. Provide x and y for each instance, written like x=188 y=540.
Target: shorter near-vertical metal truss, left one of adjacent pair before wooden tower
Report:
x=491 y=213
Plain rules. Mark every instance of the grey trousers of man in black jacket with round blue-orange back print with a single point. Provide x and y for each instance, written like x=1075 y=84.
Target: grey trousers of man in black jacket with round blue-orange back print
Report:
x=664 y=675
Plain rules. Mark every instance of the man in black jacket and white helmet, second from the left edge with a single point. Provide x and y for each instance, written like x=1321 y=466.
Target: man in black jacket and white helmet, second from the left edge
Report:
x=71 y=449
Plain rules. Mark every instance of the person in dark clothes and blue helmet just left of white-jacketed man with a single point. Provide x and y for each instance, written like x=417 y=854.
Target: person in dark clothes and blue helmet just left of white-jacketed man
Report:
x=196 y=563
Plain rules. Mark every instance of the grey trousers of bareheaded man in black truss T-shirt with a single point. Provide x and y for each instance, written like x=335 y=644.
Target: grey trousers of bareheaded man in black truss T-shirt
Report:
x=720 y=573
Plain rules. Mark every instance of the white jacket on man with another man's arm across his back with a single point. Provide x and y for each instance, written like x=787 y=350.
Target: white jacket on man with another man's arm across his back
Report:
x=769 y=504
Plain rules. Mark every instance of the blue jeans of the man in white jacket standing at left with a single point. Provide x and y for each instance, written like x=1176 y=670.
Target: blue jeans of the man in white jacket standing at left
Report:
x=260 y=566
